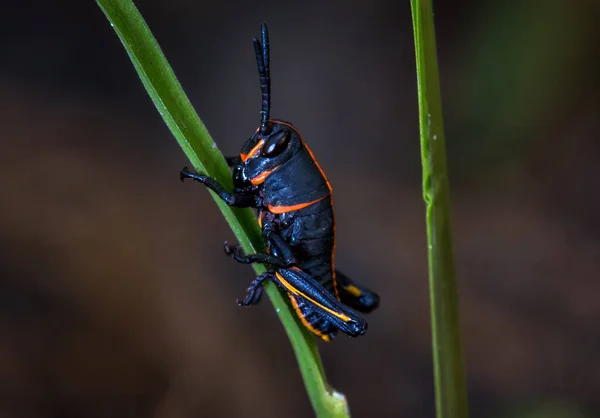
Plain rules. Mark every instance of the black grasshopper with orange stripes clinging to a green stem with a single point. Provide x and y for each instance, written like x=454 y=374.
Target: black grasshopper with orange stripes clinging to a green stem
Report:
x=277 y=174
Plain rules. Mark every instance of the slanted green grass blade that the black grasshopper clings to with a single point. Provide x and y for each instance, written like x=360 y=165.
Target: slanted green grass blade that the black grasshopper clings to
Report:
x=175 y=108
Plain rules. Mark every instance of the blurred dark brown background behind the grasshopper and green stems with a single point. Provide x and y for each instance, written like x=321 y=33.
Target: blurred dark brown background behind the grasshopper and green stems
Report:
x=116 y=299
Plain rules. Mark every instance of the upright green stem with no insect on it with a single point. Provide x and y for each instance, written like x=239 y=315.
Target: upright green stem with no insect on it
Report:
x=450 y=384
